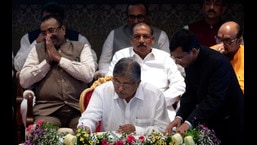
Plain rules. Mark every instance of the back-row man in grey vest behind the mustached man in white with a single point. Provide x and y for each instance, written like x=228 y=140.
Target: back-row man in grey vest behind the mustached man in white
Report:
x=119 y=38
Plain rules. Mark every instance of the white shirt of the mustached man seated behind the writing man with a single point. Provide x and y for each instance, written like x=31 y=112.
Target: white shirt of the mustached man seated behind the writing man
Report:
x=159 y=69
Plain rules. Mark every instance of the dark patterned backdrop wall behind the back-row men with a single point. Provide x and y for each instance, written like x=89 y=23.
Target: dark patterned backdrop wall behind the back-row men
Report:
x=96 y=18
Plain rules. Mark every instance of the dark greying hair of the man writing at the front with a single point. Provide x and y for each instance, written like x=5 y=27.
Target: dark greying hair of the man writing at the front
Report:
x=128 y=67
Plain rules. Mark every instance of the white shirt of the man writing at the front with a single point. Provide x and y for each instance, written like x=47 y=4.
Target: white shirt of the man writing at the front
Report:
x=145 y=110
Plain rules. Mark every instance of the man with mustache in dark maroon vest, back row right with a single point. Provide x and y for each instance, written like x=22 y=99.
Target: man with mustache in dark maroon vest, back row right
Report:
x=206 y=28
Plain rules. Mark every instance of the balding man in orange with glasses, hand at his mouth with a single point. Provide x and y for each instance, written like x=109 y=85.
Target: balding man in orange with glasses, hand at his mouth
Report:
x=229 y=42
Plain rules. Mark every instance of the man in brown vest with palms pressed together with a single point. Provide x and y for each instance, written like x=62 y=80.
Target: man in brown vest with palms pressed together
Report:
x=60 y=69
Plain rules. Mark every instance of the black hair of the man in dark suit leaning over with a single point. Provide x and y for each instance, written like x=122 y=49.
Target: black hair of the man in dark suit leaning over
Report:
x=184 y=38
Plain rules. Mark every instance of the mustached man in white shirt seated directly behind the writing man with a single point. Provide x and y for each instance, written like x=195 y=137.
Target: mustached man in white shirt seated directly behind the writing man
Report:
x=157 y=67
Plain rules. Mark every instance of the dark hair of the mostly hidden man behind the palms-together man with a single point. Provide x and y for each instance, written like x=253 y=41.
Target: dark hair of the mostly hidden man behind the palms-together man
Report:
x=53 y=8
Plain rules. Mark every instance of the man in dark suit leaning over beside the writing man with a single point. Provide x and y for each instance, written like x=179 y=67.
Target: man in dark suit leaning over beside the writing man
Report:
x=213 y=96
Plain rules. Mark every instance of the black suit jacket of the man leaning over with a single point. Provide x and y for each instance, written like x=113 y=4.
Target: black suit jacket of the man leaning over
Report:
x=213 y=96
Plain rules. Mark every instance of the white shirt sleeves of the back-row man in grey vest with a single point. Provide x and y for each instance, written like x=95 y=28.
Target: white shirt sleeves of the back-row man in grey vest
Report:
x=107 y=50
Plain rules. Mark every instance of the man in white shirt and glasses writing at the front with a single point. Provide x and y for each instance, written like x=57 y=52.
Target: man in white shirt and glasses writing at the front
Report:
x=126 y=104
